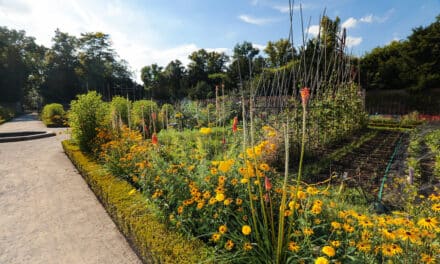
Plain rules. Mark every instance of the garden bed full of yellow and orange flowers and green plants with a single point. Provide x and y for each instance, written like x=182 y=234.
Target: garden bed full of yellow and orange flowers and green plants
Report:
x=229 y=183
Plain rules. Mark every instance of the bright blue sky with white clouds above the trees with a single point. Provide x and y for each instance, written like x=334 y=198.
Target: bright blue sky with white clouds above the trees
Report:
x=158 y=31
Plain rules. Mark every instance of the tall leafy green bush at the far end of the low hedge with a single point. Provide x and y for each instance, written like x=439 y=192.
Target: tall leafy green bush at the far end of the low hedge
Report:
x=87 y=114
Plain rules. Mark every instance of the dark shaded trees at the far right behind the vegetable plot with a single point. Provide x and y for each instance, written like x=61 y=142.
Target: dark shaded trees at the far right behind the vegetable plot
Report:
x=413 y=63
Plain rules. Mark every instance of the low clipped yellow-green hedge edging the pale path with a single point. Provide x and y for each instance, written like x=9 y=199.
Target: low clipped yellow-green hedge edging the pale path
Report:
x=136 y=217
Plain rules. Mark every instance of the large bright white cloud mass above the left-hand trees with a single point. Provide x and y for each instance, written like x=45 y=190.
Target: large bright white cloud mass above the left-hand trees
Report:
x=134 y=36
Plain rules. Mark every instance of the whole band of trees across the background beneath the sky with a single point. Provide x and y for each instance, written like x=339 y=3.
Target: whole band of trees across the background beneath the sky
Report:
x=33 y=74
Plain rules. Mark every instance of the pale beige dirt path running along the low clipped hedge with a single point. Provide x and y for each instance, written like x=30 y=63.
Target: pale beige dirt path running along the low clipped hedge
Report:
x=47 y=212
